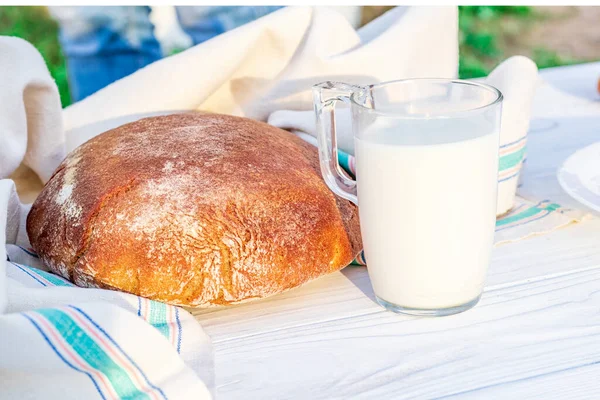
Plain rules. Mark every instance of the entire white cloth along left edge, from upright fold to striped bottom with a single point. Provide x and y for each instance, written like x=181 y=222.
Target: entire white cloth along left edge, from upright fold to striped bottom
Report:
x=58 y=341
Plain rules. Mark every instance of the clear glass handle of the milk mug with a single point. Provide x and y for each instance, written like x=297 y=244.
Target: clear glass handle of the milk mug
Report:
x=325 y=97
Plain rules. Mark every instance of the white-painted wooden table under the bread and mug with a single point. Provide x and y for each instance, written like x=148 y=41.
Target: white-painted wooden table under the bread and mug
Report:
x=535 y=333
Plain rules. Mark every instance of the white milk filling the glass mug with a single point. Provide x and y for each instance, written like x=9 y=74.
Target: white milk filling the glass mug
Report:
x=427 y=204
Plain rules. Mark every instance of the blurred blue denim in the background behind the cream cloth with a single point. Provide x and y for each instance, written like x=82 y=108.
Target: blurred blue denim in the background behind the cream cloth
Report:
x=104 y=44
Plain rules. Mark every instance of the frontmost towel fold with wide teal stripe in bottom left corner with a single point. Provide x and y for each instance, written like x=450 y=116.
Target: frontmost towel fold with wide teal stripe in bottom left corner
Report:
x=87 y=351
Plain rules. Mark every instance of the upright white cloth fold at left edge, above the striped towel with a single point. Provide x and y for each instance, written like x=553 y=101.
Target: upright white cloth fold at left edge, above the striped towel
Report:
x=30 y=119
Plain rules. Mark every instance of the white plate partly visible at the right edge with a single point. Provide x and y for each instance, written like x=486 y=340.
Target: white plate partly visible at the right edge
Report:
x=579 y=176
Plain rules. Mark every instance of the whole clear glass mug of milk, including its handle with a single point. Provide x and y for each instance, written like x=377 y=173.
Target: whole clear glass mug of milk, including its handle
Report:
x=426 y=153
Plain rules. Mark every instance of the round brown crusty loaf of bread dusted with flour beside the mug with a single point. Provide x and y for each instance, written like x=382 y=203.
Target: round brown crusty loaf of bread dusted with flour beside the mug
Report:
x=193 y=209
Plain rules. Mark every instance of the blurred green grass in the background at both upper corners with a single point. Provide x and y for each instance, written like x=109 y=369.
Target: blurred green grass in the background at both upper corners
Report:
x=482 y=38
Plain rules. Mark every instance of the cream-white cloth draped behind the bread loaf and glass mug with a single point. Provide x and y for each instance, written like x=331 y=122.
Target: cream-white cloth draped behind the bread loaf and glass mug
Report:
x=271 y=64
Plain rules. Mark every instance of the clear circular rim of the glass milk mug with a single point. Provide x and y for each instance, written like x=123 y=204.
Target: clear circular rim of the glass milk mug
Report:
x=497 y=99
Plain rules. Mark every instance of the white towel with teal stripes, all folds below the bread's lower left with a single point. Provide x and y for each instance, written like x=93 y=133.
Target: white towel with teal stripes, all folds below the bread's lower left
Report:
x=97 y=343
